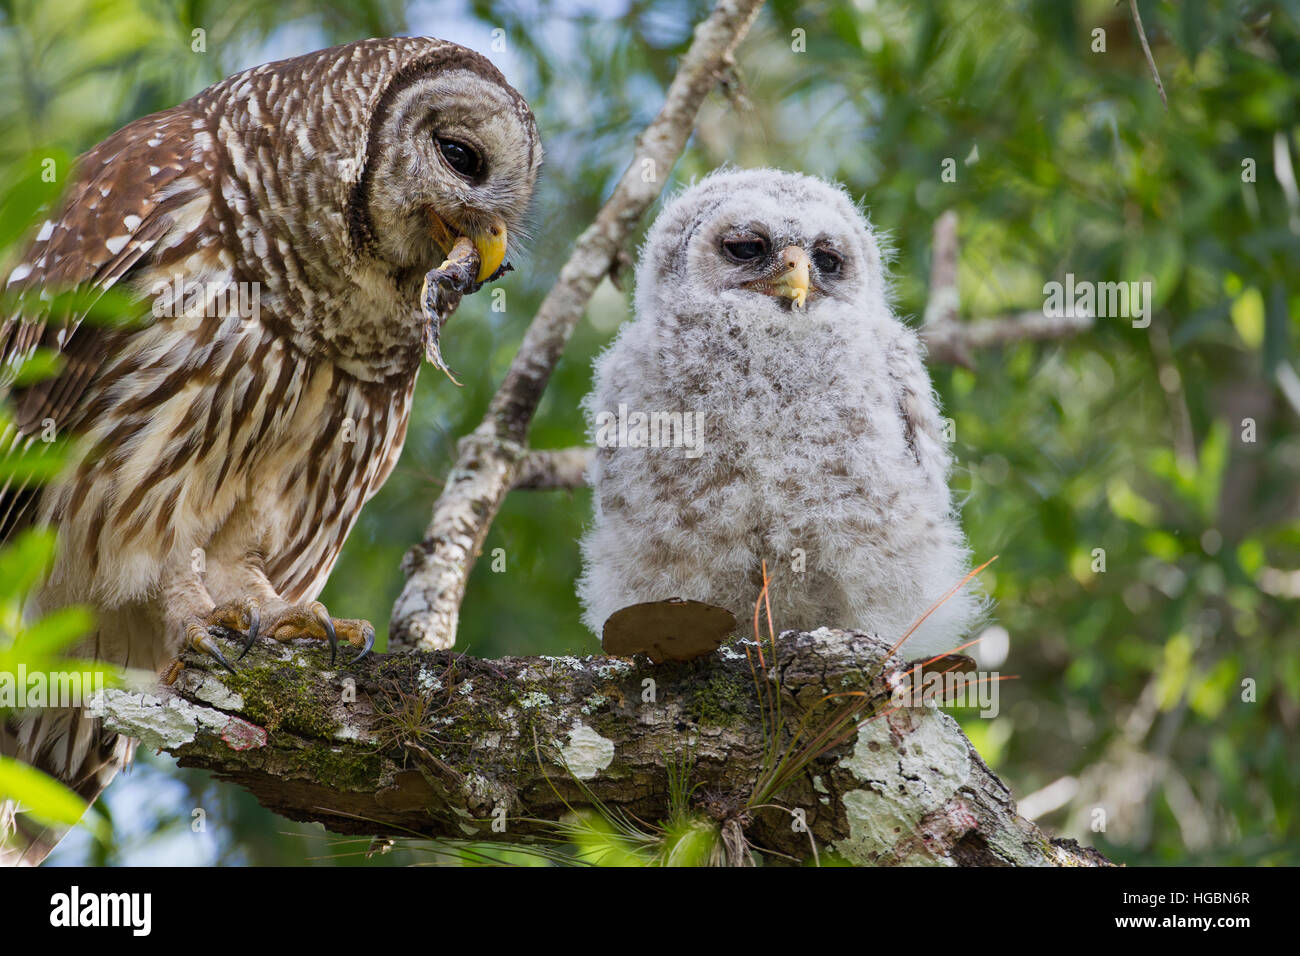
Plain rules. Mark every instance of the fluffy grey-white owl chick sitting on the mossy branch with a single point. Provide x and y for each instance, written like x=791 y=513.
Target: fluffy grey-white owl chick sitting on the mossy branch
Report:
x=768 y=405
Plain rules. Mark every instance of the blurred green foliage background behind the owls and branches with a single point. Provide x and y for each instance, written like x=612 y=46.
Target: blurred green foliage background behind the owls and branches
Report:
x=1126 y=440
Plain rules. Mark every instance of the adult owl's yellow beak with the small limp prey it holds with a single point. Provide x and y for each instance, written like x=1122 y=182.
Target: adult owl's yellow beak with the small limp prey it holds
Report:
x=473 y=259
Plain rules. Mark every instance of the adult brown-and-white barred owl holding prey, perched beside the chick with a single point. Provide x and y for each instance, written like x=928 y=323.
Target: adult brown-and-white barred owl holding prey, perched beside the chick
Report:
x=275 y=232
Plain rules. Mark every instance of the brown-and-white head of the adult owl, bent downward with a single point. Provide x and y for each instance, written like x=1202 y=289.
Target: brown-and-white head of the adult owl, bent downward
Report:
x=383 y=152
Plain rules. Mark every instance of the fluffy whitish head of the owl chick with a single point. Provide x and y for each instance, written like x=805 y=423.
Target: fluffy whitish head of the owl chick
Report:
x=764 y=245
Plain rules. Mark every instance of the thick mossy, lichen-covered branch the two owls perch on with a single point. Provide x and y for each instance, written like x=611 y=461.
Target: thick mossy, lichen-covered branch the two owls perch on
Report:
x=440 y=747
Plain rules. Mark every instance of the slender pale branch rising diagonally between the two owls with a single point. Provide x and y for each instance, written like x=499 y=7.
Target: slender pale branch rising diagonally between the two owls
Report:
x=427 y=612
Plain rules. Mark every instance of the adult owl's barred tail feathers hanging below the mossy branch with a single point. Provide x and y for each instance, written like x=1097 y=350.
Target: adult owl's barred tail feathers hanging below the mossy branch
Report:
x=73 y=749
